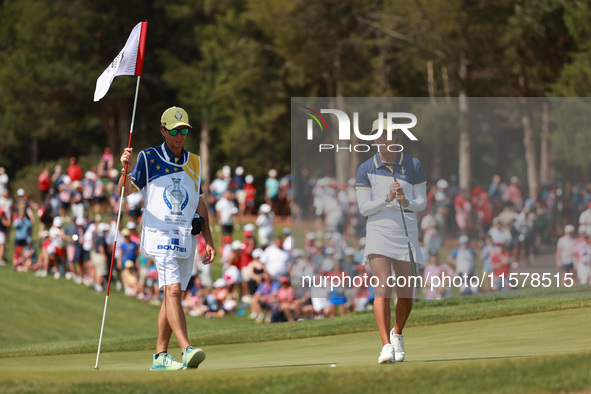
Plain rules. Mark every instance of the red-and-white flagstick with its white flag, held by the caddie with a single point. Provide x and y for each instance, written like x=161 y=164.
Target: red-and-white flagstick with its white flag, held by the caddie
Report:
x=136 y=44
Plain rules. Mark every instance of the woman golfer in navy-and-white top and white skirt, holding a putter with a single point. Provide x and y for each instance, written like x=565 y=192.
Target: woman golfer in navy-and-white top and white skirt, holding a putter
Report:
x=384 y=182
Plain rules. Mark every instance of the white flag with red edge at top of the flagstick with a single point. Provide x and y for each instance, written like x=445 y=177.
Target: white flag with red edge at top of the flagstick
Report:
x=129 y=61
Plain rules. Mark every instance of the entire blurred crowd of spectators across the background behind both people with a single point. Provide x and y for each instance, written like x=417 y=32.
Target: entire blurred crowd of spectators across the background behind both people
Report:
x=492 y=230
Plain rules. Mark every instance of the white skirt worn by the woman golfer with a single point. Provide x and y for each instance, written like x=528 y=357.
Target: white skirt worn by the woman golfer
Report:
x=385 y=235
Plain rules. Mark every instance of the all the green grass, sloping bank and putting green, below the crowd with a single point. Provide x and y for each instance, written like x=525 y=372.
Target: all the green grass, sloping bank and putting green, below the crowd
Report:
x=49 y=333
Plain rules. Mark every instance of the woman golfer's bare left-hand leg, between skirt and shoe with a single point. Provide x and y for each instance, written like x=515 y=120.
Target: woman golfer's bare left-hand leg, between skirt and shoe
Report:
x=381 y=268
